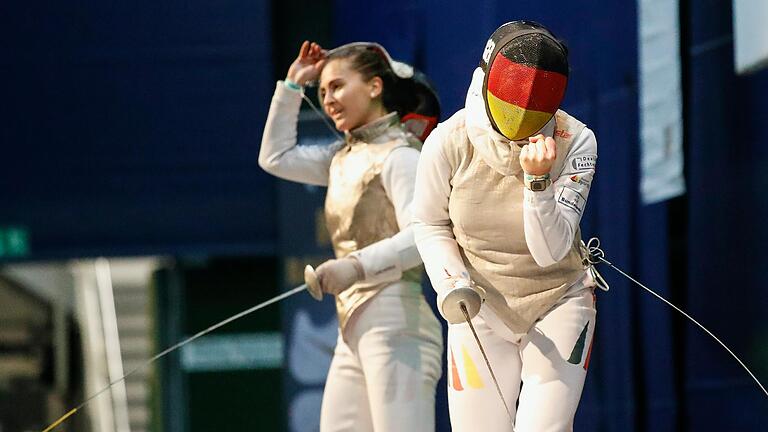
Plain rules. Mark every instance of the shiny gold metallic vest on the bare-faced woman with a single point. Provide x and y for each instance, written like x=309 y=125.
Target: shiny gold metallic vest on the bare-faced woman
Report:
x=357 y=210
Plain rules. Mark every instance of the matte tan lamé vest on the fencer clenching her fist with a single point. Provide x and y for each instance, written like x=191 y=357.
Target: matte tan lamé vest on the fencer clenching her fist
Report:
x=486 y=209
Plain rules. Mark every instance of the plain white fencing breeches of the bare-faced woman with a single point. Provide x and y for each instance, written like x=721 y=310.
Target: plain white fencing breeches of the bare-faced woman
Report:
x=384 y=372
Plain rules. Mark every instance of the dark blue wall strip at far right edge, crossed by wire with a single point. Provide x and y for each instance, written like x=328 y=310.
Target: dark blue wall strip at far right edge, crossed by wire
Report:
x=726 y=232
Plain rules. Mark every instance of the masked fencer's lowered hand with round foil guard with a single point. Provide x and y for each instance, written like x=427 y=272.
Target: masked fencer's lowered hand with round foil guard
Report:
x=455 y=291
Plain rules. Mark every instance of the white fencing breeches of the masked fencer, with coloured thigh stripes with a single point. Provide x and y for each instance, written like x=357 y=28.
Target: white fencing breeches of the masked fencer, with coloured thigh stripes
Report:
x=550 y=361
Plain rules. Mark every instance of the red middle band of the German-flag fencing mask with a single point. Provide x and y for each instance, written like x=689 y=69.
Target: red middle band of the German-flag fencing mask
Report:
x=515 y=83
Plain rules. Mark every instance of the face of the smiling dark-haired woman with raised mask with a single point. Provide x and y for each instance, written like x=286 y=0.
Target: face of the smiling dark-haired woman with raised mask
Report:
x=347 y=98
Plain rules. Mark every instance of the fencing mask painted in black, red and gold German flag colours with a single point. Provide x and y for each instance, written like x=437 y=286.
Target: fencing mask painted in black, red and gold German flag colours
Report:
x=526 y=72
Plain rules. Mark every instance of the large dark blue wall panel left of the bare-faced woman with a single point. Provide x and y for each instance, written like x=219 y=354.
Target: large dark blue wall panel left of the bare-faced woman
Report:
x=133 y=128
